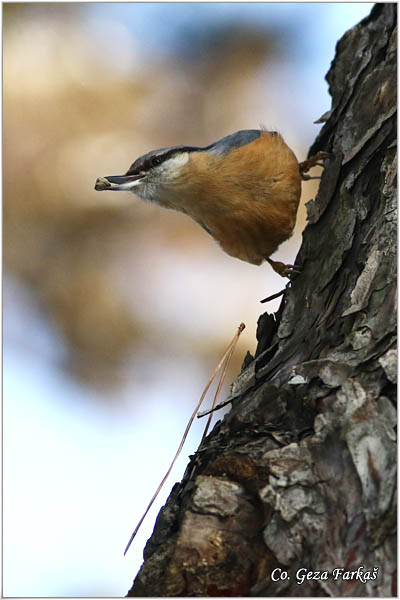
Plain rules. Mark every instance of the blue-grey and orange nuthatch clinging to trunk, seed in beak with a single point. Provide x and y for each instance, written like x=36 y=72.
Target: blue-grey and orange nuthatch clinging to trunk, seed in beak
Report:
x=244 y=190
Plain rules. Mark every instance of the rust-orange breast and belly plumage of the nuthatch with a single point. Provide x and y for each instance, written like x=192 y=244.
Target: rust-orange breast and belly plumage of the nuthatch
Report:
x=248 y=199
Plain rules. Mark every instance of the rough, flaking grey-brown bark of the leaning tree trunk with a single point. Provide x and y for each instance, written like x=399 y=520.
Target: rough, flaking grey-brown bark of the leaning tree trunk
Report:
x=300 y=474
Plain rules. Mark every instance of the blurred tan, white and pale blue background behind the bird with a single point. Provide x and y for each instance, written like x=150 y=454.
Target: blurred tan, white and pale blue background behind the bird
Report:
x=116 y=311
